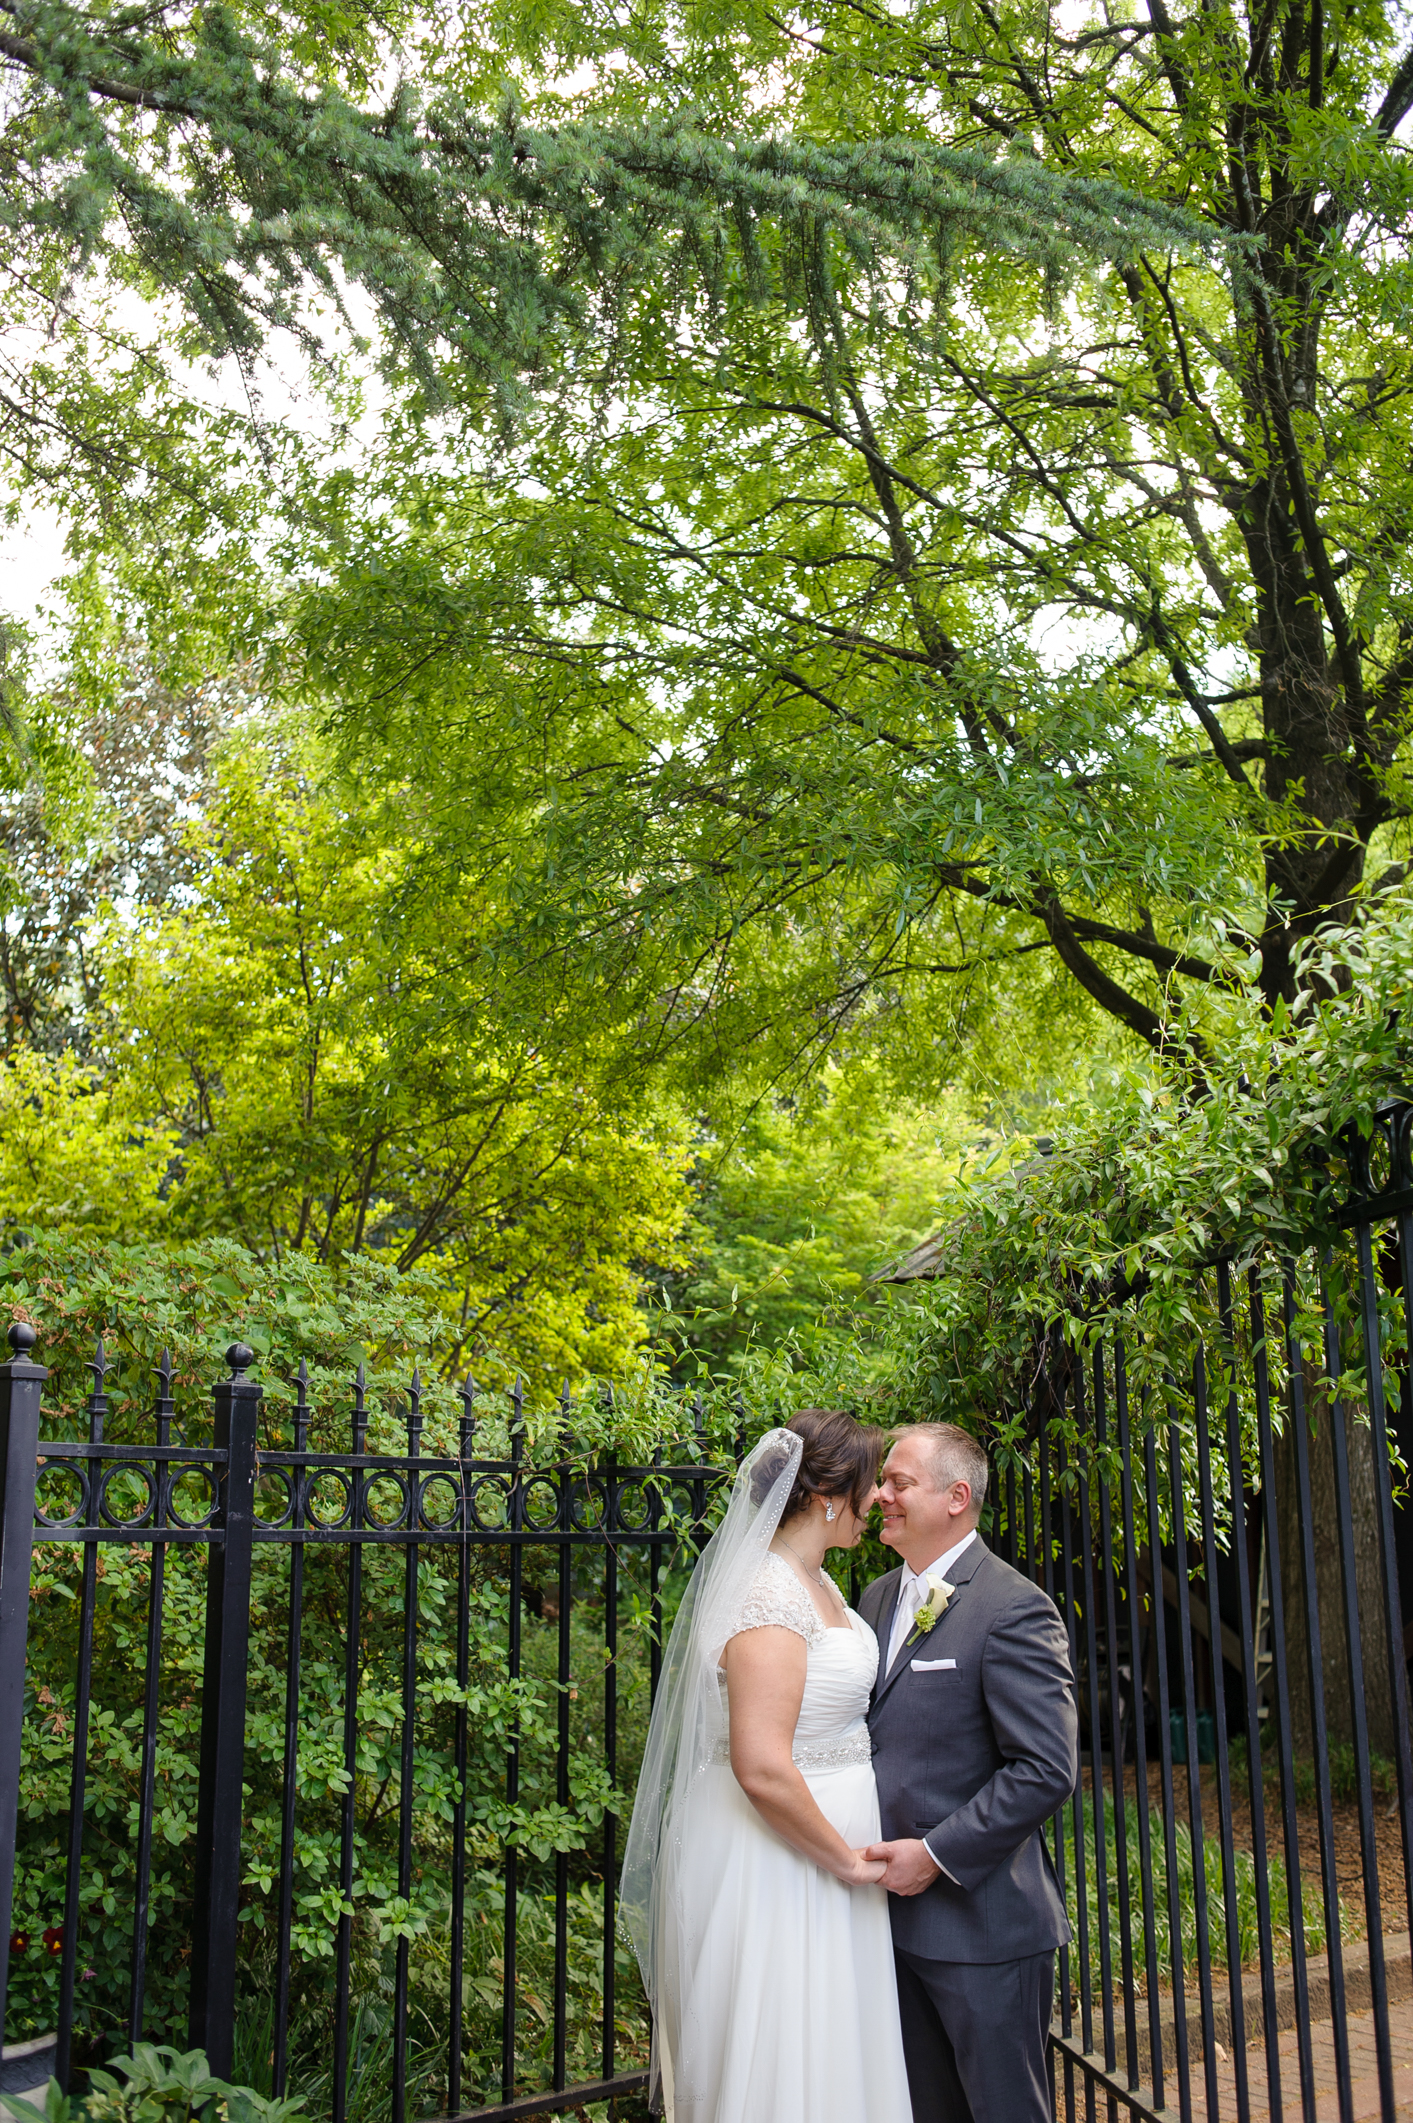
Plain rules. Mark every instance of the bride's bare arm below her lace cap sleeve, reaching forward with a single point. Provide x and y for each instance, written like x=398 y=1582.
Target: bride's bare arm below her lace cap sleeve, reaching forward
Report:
x=765 y=1682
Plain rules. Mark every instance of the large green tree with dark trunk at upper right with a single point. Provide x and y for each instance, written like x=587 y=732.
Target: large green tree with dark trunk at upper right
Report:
x=845 y=668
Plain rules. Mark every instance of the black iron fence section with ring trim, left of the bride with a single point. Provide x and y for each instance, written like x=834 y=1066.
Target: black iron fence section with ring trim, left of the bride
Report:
x=321 y=1744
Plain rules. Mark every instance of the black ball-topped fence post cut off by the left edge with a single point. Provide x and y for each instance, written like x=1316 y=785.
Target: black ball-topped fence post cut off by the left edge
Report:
x=20 y=1413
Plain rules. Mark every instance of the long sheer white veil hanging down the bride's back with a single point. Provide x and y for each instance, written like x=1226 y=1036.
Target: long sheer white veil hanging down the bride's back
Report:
x=691 y=1712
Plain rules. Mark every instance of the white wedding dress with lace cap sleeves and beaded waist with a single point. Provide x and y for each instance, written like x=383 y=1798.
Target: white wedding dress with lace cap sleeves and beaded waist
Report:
x=775 y=1986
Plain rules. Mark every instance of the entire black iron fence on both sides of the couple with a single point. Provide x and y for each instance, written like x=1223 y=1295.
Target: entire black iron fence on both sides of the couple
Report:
x=315 y=1761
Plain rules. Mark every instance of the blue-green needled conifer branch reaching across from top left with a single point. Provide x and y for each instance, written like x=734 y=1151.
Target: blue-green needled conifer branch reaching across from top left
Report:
x=239 y=175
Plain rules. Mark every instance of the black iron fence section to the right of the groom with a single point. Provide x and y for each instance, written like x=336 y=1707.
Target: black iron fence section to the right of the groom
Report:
x=1225 y=1544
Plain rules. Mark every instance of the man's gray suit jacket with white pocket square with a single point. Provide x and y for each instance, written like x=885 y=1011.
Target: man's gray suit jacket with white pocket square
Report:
x=975 y=1755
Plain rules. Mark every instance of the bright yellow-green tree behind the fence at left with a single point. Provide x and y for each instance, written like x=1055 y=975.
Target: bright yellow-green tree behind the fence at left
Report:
x=300 y=1050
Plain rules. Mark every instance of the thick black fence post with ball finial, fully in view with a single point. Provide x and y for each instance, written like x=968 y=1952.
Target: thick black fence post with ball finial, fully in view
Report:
x=224 y=1721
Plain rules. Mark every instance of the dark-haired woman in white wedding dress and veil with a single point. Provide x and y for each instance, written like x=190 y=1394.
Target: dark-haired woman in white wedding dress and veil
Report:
x=756 y=1920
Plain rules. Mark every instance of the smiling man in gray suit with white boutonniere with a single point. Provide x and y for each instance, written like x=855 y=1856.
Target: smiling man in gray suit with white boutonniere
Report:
x=975 y=1746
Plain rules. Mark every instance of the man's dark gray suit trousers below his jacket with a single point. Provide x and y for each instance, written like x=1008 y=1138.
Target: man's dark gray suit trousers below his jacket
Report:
x=975 y=2039
